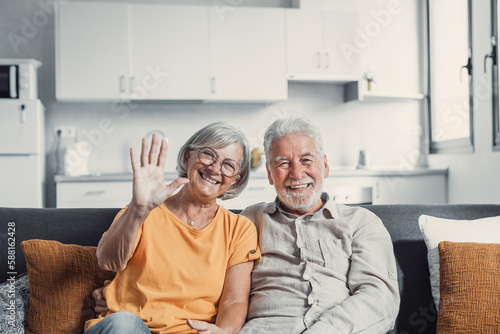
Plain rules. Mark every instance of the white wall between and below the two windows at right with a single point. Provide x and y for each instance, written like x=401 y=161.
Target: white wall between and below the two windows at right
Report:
x=475 y=178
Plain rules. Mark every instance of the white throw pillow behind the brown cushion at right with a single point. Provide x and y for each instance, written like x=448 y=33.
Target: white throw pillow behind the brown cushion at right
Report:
x=435 y=230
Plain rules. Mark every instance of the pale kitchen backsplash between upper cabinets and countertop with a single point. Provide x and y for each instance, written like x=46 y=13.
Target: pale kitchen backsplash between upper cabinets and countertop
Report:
x=388 y=132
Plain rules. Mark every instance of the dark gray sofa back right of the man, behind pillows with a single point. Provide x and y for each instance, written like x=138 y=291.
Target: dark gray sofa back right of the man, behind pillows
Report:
x=417 y=312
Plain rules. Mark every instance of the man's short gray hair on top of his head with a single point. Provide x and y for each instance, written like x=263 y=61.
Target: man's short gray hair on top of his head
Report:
x=292 y=125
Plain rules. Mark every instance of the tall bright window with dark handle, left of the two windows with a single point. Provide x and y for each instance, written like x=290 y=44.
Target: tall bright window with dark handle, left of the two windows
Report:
x=450 y=76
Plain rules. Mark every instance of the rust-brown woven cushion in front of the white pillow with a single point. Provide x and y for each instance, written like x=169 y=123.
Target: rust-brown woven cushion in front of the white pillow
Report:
x=470 y=288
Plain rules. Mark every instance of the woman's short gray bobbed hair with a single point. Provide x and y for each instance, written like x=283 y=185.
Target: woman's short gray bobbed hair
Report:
x=218 y=135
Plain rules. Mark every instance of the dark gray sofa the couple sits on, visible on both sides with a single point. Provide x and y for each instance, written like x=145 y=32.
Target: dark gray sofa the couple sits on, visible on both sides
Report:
x=417 y=312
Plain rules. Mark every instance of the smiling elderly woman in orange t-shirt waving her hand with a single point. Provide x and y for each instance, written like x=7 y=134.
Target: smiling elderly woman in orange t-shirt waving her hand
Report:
x=183 y=262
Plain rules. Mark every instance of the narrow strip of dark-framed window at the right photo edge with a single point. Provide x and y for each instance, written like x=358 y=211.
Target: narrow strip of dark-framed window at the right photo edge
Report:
x=494 y=72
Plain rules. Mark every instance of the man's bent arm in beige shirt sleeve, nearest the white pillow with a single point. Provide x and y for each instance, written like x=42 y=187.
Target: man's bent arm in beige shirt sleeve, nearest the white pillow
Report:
x=373 y=304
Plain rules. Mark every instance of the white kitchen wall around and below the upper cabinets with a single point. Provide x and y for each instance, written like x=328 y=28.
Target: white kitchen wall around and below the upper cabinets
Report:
x=389 y=131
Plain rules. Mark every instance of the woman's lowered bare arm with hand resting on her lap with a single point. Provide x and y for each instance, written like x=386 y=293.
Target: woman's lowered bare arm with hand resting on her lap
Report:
x=233 y=306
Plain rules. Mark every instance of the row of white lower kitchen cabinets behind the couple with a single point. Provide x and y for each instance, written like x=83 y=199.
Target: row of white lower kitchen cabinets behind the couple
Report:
x=346 y=186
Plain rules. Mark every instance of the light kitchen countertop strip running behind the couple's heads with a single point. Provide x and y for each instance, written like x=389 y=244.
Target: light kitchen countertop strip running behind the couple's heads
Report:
x=335 y=171
